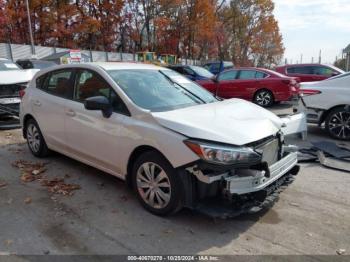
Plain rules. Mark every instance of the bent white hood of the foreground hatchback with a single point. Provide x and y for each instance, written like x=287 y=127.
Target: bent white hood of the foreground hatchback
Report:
x=232 y=121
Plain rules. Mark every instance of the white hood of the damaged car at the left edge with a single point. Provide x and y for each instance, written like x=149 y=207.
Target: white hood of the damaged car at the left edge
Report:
x=17 y=76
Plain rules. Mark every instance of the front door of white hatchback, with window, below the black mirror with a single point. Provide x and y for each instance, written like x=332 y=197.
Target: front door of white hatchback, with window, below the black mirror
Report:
x=91 y=137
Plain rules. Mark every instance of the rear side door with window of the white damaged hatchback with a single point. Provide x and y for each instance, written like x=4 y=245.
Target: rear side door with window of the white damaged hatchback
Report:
x=48 y=102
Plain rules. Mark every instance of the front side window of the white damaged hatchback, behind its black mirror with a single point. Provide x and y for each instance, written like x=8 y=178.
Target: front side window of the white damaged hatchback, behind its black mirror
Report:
x=89 y=84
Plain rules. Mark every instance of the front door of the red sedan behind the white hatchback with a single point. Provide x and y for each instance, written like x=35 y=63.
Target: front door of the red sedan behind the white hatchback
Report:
x=226 y=84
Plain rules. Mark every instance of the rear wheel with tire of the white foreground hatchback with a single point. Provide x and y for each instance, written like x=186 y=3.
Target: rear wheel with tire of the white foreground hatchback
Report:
x=35 y=139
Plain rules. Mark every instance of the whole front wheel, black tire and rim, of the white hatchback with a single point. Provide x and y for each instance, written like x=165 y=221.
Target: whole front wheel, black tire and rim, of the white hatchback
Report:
x=157 y=184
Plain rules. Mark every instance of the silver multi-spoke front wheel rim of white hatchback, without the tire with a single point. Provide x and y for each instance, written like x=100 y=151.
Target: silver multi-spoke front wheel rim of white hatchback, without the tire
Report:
x=153 y=185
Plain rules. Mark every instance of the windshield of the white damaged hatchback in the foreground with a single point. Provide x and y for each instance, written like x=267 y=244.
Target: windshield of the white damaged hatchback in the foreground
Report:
x=160 y=90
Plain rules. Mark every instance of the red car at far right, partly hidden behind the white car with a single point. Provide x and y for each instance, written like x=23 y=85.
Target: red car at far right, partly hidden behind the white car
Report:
x=309 y=72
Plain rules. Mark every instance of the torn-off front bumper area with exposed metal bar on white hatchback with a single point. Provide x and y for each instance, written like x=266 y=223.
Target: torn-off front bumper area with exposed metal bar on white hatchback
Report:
x=239 y=191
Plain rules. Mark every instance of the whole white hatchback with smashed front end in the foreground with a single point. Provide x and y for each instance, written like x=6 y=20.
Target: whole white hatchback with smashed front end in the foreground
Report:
x=176 y=144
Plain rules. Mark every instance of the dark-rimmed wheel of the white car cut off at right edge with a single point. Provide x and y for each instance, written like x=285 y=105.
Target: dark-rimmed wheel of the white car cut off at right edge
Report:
x=338 y=123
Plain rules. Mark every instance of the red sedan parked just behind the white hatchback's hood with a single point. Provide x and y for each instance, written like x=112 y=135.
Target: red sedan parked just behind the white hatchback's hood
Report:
x=262 y=86
